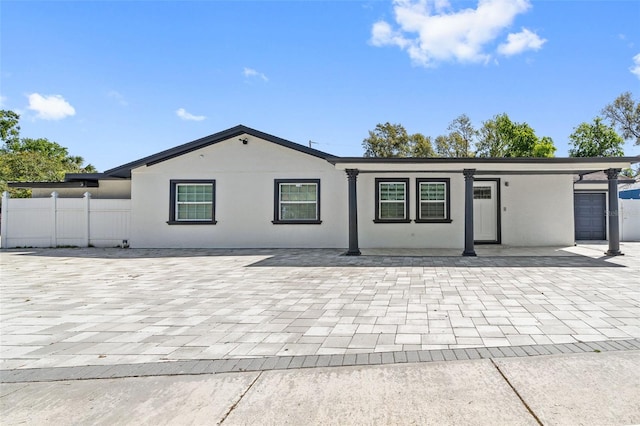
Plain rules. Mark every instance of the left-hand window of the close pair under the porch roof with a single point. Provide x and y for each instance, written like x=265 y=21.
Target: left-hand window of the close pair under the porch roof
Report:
x=392 y=200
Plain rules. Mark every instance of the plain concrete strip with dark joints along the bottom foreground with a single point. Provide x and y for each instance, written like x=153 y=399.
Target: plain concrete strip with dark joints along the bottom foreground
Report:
x=586 y=389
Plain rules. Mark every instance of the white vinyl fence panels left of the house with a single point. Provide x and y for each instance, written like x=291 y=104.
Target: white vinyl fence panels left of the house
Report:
x=55 y=222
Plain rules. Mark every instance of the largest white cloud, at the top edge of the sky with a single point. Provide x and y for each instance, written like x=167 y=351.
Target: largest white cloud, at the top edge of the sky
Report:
x=432 y=32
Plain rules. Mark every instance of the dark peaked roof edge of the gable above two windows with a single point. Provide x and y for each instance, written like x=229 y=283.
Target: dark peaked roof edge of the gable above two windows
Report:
x=125 y=169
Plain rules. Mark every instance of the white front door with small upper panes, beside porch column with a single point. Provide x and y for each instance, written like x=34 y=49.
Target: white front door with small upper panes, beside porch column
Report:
x=485 y=211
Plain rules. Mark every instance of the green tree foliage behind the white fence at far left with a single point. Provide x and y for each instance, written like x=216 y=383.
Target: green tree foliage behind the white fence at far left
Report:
x=32 y=160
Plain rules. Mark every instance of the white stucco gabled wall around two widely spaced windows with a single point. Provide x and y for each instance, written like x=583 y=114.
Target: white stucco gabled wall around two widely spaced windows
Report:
x=244 y=198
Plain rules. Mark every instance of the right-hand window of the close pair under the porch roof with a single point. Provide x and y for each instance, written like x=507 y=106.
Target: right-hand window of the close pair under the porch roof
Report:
x=433 y=202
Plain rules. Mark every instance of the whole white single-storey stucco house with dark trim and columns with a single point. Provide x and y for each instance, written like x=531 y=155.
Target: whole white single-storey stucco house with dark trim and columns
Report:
x=242 y=188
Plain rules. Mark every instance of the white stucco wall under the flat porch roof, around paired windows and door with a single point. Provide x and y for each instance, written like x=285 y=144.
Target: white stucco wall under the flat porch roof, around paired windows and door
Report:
x=535 y=210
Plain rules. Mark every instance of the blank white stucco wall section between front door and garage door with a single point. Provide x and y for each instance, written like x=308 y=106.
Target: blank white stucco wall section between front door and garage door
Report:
x=537 y=210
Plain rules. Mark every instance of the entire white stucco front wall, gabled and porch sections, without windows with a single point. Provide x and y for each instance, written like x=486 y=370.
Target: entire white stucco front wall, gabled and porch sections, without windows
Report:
x=535 y=209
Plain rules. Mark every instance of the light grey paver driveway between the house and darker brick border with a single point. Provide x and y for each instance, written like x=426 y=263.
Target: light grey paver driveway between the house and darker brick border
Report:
x=72 y=307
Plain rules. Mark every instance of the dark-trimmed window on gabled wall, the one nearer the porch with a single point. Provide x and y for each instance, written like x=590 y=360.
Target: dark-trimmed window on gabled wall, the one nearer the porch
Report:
x=296 y=201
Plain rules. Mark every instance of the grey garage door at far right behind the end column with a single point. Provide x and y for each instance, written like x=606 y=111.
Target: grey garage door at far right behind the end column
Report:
x=589 y=213
